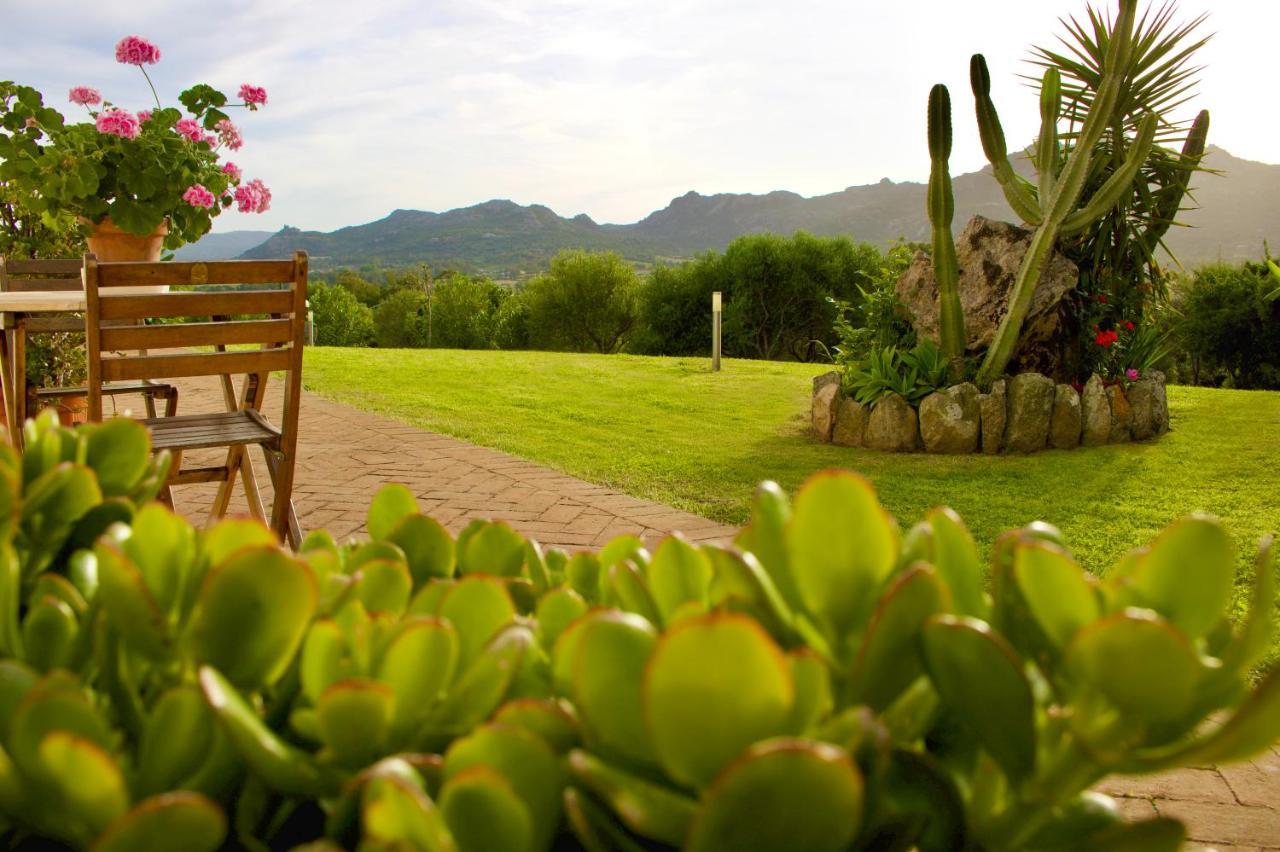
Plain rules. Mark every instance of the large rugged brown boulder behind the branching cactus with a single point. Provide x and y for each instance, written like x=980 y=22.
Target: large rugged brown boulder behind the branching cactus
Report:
x=990 y=255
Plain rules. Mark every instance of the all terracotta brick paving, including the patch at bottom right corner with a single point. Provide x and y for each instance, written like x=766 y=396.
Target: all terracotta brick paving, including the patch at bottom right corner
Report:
x=346 y=455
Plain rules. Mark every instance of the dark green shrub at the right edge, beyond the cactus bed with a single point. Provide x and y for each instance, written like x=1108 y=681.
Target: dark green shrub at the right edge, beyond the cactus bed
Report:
x=1229 y=327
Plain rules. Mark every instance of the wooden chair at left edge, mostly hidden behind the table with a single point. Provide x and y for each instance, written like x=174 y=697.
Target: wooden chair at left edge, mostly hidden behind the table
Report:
x=60 y=276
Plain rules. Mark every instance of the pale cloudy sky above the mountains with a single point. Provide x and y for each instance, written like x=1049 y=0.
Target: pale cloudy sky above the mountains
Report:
x=610 y=108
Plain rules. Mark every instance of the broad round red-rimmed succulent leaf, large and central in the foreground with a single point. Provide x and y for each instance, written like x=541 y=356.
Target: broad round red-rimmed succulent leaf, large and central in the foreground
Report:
x=714 y=686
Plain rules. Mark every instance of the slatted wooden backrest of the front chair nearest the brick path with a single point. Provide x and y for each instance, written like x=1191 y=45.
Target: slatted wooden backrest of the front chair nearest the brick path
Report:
x=227 y=301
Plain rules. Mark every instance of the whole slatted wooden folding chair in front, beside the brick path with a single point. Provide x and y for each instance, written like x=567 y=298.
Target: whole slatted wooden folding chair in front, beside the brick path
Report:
x=228 y=315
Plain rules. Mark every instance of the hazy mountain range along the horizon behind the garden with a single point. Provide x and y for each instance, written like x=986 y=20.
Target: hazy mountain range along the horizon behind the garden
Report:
x=1237 y=212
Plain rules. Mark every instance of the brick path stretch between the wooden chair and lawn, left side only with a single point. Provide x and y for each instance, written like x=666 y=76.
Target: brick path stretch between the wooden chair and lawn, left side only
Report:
x=346 y=455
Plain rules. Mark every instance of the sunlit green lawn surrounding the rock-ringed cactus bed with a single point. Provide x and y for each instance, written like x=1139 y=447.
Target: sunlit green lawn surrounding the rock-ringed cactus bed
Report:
x=670 y=430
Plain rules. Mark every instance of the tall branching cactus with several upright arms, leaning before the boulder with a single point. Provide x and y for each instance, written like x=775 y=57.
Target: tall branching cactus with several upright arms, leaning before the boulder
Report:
x=1062 y=212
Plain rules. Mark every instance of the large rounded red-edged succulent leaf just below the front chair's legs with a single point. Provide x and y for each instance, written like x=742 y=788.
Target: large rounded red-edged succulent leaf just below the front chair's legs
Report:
x=252 y=616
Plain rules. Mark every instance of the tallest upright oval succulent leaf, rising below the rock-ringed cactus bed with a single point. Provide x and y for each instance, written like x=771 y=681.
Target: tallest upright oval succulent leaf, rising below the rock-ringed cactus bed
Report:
x=843 y=546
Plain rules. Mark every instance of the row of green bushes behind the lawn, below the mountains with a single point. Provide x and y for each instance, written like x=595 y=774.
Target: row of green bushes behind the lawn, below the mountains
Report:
x=781 y=300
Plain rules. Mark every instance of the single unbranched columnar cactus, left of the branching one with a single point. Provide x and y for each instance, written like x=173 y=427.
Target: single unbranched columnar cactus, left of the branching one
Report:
x=941 y=207
